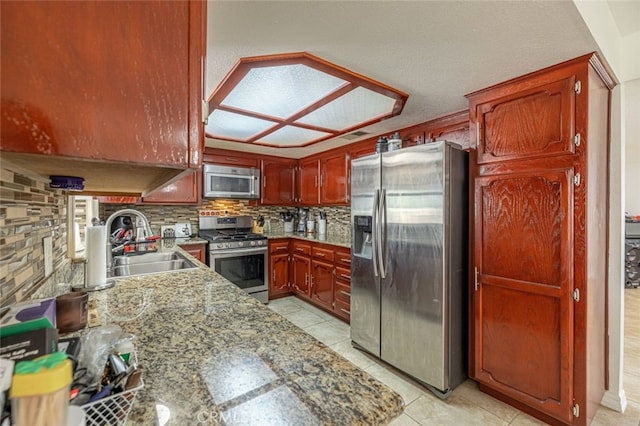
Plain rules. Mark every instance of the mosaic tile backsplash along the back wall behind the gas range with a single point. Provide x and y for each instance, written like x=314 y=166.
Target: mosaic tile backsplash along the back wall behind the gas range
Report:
x=338 y=218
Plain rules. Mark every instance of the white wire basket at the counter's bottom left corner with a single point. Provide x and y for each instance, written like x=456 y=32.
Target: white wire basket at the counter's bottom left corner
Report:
x=112 y=410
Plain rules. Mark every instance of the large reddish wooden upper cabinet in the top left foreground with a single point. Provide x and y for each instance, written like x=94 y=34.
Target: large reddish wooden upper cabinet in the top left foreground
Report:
x=116 y=81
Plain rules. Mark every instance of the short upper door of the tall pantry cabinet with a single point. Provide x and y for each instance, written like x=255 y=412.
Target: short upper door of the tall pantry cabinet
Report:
x=534 y=123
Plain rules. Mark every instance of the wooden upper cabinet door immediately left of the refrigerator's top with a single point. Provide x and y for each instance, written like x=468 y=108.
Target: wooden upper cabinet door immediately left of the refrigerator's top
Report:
x=334 y=179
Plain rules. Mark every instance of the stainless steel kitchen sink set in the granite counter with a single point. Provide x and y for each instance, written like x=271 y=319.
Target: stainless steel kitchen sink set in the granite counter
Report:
x=150 y=263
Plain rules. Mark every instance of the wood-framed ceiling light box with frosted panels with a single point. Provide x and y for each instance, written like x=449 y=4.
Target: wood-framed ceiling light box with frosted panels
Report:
x=294 y=100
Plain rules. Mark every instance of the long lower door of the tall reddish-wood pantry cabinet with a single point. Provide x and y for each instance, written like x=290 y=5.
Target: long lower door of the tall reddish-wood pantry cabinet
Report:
x=523 y=301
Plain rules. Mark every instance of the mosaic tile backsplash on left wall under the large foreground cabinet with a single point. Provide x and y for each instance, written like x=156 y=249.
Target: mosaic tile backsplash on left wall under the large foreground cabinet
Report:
x=30 y=211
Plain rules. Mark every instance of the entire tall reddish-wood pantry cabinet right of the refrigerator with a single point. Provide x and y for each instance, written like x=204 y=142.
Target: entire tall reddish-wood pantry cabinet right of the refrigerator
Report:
x=539 y=185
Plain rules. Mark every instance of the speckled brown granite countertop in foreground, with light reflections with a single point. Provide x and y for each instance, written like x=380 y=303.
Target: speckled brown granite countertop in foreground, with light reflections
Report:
x=212 y=354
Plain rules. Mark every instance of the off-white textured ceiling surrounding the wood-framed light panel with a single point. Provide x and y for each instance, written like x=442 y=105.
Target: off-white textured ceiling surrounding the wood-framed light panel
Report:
x=437 y=51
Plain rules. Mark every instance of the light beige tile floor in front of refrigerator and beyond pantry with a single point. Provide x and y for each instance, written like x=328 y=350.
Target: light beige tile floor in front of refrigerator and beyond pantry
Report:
x=466 y=405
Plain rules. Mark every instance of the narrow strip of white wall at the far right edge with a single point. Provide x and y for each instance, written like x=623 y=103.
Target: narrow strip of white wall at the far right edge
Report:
x=632 y=151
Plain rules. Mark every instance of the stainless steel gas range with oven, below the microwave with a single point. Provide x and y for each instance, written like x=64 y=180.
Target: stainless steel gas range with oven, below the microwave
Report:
x=236 y=253
